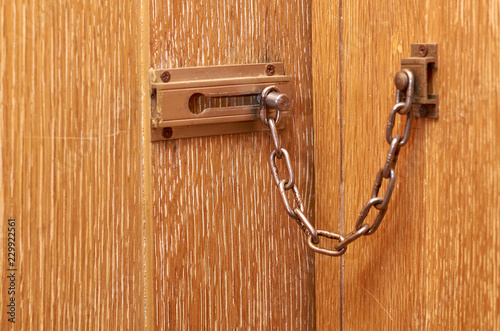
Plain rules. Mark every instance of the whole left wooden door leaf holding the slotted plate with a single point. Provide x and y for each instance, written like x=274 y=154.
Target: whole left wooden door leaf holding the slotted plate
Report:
x=104 y=219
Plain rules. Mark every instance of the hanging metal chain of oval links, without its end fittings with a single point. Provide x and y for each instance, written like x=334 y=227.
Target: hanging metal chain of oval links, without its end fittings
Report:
x=295 y=209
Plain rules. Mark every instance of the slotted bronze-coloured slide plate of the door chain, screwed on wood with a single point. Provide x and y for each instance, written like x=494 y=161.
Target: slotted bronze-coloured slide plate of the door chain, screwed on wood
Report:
x=234 y=90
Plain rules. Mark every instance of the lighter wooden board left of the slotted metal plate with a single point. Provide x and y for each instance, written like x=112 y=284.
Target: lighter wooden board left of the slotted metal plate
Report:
x=70 y=163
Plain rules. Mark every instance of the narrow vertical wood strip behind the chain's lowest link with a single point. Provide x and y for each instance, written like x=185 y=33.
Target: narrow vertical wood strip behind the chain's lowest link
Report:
x=326 y=62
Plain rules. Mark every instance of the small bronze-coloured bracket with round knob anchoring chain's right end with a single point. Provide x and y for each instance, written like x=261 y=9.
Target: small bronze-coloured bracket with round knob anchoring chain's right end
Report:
x=422 y=62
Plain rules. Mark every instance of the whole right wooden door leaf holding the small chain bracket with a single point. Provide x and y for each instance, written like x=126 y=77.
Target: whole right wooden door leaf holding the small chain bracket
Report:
x=434 y=262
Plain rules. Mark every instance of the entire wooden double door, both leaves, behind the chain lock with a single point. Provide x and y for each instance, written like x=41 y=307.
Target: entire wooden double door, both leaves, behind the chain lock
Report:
x=106 y=221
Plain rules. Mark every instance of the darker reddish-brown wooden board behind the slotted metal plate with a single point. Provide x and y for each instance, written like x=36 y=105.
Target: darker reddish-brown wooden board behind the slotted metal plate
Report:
x=226 y=254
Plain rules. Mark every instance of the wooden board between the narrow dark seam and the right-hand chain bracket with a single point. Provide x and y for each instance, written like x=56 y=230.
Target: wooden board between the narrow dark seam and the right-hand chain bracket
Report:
x=383 y=272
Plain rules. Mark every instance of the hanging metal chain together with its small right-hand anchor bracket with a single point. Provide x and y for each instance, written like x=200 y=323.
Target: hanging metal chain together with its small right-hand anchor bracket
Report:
x=412 y=100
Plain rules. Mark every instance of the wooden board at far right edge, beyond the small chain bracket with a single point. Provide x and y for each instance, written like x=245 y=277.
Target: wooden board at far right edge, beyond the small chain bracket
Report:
x=463 y=196
